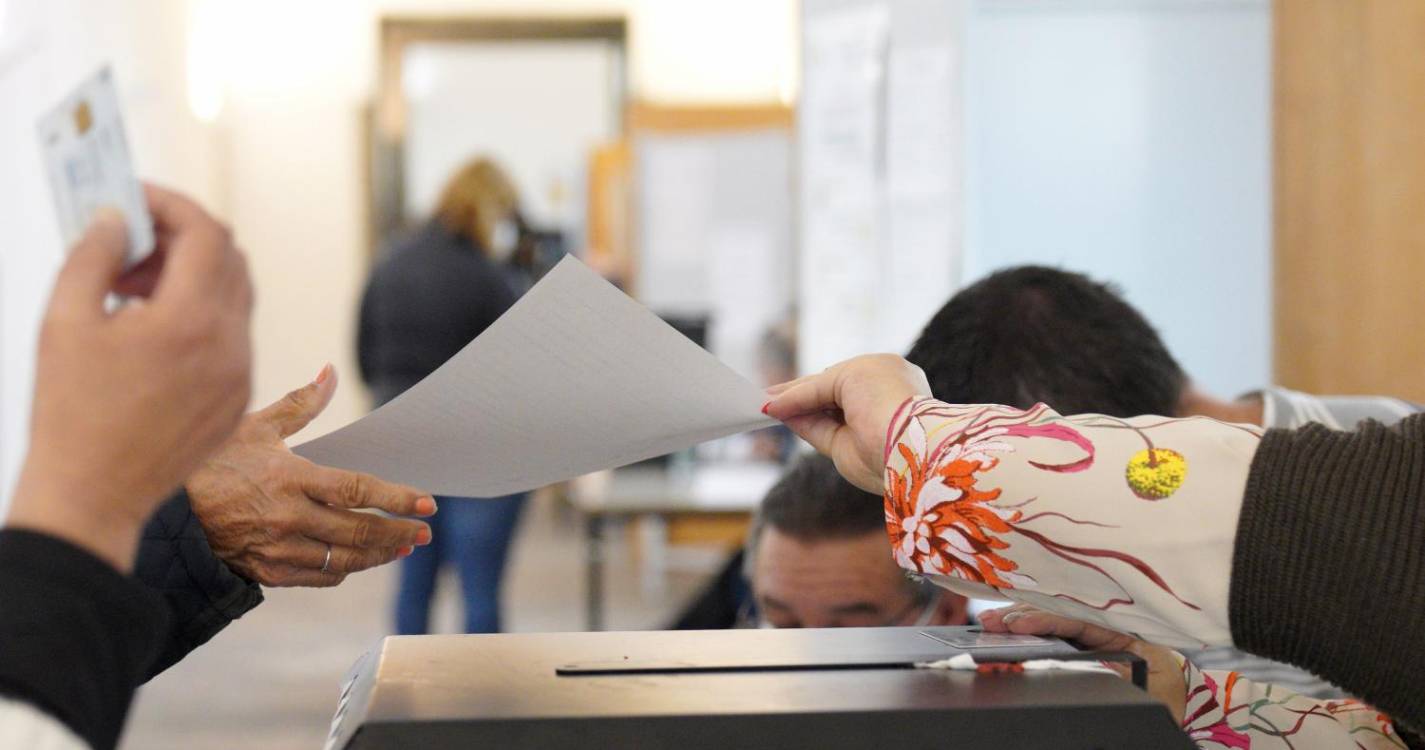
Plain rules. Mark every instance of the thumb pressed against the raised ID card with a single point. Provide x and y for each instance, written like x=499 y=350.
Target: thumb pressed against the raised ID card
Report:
x=93 y=267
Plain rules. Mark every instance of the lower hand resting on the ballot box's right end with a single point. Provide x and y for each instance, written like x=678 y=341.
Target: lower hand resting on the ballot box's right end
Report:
x=1166 y=681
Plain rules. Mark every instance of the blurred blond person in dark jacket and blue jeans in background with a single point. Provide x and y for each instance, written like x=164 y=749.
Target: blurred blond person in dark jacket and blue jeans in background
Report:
x=434 y=293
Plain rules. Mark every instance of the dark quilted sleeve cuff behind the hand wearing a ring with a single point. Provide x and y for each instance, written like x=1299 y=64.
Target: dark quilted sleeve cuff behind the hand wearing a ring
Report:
x=204 y=595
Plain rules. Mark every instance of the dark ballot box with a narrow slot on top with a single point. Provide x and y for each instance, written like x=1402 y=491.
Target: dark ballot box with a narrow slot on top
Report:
x=735 y=689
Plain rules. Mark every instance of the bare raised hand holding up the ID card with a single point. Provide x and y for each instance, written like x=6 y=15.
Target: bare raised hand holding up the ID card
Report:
x=129 y=401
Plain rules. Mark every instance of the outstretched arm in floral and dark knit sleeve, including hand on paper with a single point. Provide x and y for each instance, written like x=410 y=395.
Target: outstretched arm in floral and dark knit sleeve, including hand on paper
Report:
x=1306 y=547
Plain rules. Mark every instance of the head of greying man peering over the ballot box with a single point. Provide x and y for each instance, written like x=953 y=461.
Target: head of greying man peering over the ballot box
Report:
x=819 y=558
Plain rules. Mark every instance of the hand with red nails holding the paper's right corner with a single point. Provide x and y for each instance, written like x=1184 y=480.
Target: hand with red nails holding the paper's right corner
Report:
x=846 y=411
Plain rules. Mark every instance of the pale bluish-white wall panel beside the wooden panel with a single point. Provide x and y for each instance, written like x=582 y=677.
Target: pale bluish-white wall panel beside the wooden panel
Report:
x=1132 y=140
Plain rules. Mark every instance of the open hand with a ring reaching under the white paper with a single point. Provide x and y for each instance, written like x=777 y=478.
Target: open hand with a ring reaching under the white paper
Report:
x=271 y=514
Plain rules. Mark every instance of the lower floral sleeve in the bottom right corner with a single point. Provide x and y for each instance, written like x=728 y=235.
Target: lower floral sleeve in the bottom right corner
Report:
x=1230 y=712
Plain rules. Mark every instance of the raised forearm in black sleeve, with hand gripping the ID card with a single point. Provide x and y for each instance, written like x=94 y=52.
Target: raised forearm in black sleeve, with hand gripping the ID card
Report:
x=128 y=404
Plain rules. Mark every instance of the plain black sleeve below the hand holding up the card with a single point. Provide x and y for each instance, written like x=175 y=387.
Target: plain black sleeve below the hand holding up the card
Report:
x=76 y=637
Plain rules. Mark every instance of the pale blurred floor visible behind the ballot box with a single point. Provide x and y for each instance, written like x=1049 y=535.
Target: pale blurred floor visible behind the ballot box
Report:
x=270 y=681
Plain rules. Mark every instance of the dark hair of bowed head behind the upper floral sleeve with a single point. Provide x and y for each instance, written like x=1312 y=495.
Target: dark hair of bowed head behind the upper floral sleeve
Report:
x=1034 y=334
